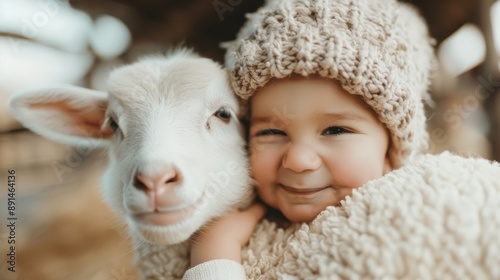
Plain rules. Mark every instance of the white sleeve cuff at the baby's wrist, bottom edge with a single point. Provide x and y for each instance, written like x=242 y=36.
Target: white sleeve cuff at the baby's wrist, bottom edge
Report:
x=220 y=269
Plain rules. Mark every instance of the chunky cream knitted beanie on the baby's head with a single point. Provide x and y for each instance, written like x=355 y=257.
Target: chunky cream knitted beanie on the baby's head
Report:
x=379 y=50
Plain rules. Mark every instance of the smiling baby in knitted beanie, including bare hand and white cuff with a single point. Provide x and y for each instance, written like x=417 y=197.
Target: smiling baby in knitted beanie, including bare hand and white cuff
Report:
x=335 y=94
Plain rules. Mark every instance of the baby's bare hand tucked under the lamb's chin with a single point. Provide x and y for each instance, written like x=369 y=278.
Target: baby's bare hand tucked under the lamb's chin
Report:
x=224 y=238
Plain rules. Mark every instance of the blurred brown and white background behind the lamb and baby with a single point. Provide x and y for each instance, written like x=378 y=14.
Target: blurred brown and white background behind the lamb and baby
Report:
x=64 y=231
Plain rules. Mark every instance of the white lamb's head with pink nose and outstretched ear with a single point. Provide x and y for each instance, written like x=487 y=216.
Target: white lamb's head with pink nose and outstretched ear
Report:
x=176 y=148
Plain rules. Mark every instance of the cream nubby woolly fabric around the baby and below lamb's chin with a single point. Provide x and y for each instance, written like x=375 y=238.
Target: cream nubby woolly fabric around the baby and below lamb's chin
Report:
x=435 y=218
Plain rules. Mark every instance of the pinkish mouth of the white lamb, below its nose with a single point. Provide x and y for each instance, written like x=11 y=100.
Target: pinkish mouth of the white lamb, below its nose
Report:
x=165 y=218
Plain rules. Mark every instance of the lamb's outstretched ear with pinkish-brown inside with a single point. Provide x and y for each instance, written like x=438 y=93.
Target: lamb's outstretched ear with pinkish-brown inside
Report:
x=65 y=113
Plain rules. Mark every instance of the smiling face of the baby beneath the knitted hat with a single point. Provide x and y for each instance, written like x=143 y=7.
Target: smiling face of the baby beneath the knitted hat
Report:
x=311 y=144
